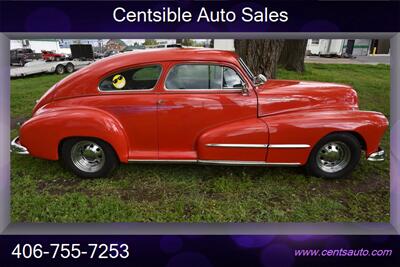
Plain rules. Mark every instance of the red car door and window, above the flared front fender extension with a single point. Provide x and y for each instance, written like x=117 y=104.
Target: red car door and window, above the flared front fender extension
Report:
x=199 y=97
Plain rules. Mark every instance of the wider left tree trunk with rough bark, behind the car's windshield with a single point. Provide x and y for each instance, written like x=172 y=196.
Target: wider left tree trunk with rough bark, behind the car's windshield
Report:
x=261 y=56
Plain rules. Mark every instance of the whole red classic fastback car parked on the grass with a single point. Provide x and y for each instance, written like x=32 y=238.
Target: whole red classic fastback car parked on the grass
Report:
x=197 y=106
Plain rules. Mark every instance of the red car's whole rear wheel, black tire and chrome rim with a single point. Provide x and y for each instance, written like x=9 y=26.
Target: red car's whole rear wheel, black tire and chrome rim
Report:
x=88 y=157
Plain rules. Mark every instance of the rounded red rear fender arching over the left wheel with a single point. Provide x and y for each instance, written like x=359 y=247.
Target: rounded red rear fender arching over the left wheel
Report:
x=42 y=134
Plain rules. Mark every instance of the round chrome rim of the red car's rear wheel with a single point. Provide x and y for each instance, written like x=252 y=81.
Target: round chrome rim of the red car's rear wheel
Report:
x=87 y=156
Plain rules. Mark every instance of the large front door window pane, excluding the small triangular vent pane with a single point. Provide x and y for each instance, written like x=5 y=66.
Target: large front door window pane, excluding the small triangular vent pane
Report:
x=194 y=76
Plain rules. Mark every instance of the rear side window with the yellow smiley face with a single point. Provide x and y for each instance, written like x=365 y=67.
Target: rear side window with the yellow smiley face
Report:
x=133 y=79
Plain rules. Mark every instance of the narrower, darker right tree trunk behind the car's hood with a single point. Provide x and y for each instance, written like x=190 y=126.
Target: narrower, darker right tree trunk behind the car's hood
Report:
x=292 y=56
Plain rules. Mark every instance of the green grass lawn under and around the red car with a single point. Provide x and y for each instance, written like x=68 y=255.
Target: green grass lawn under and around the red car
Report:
x=42 y=191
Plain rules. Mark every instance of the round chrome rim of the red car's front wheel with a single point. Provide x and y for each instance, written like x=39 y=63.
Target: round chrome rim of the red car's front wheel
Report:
x=333 y=157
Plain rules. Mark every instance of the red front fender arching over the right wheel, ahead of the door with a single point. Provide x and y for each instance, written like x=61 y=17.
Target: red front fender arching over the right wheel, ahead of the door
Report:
x=308 y=127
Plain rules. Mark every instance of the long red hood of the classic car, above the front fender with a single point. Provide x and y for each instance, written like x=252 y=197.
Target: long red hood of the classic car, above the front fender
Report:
x=280 y=96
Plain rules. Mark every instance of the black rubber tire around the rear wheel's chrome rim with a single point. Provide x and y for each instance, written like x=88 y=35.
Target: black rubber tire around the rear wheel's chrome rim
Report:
x=109 y=156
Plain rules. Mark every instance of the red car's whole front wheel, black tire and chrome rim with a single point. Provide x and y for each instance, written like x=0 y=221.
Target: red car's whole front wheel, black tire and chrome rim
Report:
x=347 y=143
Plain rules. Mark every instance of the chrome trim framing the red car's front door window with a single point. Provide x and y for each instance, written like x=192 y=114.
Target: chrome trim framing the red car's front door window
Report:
x=222 y=89
